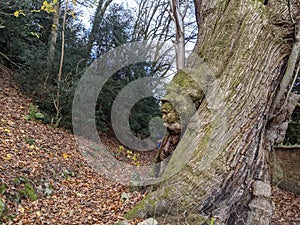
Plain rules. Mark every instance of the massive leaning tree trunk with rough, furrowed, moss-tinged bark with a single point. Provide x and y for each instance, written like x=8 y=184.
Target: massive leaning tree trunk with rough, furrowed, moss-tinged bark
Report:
x=220 y=167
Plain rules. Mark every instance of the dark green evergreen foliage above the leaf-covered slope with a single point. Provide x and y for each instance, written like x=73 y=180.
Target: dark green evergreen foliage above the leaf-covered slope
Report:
x=25 y=41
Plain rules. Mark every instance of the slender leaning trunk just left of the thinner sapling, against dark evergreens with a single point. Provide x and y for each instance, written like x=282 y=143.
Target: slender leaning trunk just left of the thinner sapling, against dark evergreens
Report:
x=52 y=43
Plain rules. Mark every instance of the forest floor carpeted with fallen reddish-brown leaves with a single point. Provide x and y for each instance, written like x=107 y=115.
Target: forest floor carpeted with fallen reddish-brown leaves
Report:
x=45 y=180
